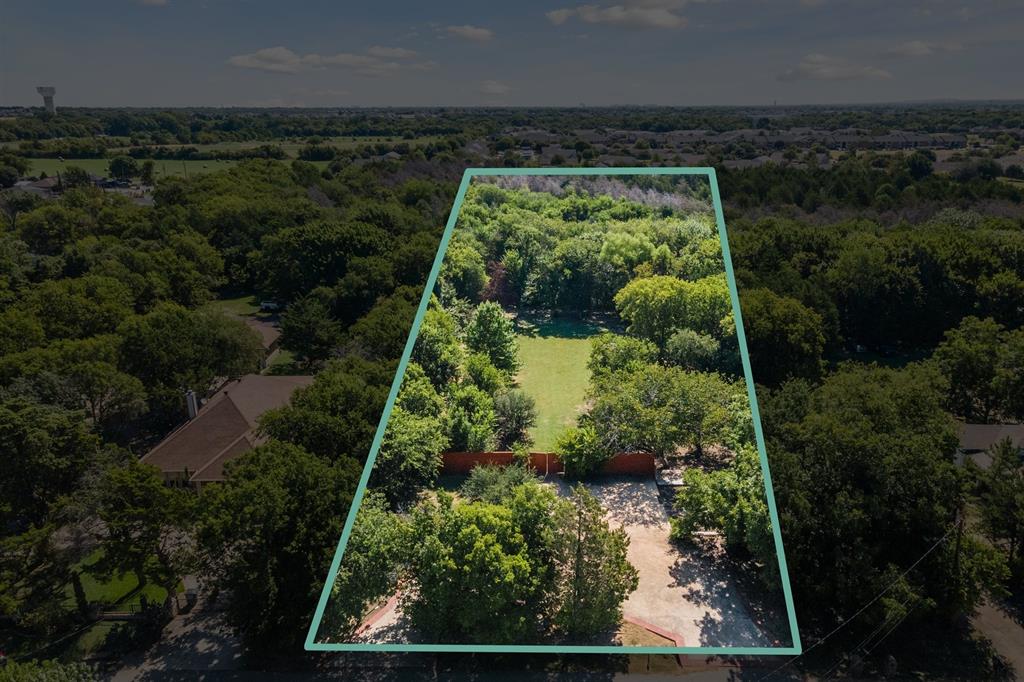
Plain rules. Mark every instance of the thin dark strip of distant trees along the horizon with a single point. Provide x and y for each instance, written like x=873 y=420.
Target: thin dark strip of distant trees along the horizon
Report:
x=214 y=125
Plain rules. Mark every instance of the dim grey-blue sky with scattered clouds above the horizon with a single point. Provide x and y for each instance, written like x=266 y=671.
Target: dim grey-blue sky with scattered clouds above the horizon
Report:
x=551 y=53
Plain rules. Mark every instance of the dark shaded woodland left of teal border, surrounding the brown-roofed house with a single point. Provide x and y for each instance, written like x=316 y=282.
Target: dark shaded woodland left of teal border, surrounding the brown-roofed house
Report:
x=107 y=323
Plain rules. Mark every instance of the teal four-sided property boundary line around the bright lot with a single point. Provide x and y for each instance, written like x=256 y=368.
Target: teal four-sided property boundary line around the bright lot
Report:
x=795 y=650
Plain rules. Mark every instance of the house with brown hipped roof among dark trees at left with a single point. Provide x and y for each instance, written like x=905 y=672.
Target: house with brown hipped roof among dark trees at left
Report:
x=223 y=430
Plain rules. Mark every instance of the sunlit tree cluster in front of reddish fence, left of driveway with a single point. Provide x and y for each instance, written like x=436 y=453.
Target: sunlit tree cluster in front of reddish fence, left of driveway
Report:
x=508 y=561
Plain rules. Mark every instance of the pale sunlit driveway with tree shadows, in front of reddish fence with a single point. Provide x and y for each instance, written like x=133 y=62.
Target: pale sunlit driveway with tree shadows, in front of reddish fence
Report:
x=682 y=591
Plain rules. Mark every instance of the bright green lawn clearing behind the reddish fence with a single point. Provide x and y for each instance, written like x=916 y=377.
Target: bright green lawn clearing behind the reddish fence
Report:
x=553 y=354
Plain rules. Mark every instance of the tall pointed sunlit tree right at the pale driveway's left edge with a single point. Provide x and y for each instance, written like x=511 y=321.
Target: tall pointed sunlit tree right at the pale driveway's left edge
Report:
x=593 y=576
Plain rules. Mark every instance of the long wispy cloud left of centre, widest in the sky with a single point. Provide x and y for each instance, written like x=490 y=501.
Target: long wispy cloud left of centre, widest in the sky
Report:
x=283 y=61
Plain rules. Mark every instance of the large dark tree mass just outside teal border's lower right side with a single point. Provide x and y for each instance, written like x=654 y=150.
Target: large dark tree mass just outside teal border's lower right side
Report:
x=865 y=485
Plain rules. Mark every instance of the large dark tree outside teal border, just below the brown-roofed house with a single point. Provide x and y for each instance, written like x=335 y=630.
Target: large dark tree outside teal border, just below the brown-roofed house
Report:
x=267 y=538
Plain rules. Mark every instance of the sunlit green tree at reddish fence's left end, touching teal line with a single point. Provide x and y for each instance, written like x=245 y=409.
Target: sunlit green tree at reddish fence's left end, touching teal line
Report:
x=410 y=456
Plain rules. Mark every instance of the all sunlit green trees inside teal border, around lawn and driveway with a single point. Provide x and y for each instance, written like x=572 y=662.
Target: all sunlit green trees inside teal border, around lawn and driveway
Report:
x=495 y=562
